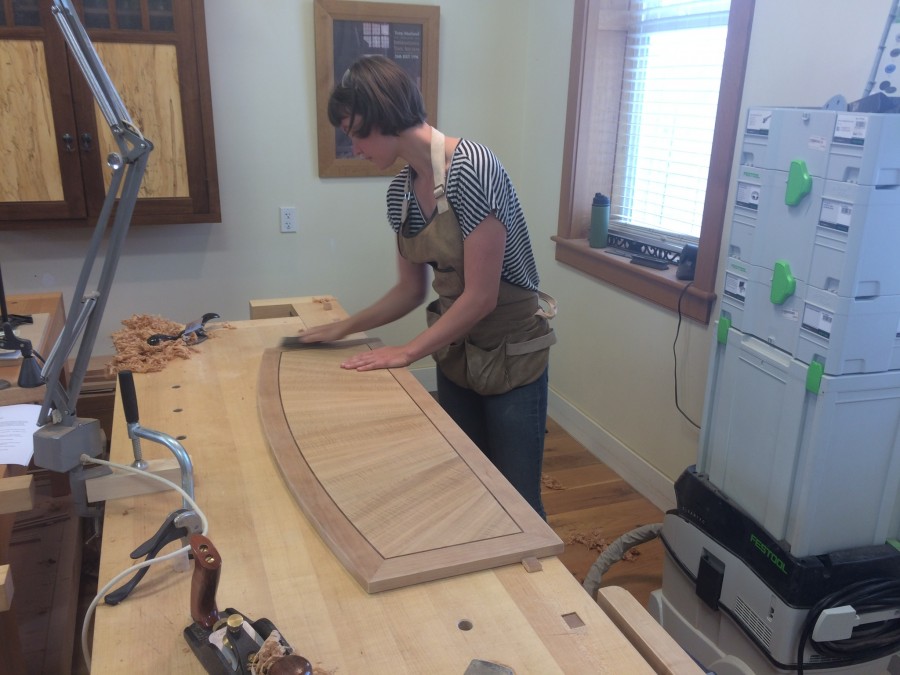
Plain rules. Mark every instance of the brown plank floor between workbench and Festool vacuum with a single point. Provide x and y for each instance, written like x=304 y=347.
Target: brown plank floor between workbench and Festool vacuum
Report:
x=587 y=505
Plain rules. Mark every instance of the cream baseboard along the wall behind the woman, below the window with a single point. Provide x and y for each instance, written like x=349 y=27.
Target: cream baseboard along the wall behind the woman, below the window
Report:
x=640 y=475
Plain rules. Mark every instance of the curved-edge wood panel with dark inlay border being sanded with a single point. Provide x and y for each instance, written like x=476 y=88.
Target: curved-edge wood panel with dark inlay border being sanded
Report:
x=398 y=492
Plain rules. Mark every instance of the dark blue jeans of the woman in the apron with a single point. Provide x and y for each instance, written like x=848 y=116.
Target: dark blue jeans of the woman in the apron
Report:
x=508 y=428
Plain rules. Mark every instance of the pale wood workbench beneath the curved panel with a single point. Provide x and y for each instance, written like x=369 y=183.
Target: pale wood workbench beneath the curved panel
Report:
x=275 y=565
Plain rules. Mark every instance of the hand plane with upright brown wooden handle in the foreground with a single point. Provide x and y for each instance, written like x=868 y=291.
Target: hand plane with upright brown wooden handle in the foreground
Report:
x=229 y=642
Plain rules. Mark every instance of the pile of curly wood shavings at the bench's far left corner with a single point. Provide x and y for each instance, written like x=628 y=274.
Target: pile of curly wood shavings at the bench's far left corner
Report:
x=134 y=354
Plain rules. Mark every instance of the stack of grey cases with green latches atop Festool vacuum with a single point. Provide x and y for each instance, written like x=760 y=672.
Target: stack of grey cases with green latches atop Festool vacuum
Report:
x=799 y=463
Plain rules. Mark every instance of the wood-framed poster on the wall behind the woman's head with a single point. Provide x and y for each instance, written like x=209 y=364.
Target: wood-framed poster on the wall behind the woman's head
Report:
x=407 y=34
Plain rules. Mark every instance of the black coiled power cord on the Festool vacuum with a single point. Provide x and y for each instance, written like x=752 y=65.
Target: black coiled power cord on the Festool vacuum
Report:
x=869 y=641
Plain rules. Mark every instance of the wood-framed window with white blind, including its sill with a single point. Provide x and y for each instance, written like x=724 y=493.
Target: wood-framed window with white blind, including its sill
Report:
x=669 y=184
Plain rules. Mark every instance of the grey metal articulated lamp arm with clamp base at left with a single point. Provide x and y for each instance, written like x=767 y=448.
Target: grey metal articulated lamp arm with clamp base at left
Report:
x=63 y=437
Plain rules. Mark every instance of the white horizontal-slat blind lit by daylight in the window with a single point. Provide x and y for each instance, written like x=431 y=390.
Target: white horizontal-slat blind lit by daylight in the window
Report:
x=673 y=64
